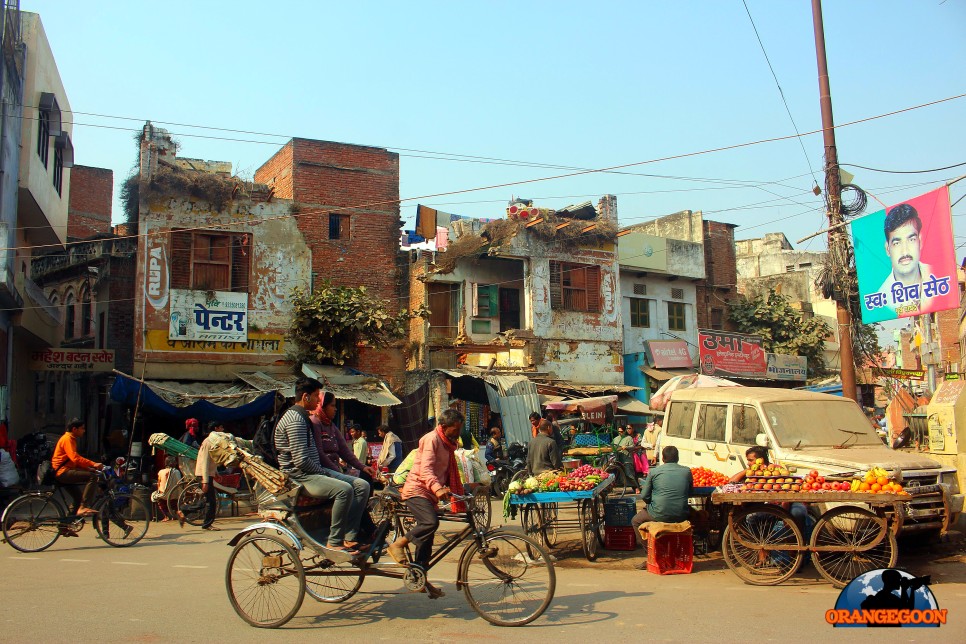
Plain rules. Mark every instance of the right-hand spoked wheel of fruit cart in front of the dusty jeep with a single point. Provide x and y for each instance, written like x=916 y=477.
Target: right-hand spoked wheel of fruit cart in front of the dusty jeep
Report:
x=852 y=529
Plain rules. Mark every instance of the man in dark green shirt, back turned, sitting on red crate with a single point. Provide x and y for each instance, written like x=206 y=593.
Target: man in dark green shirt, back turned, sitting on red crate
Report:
x=666 y=491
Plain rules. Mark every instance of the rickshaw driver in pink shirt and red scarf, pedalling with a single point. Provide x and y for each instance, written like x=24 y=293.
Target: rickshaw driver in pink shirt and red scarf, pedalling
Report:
x=433 y=476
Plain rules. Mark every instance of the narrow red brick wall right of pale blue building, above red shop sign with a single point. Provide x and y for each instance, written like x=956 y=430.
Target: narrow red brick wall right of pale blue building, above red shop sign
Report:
x=719 y=288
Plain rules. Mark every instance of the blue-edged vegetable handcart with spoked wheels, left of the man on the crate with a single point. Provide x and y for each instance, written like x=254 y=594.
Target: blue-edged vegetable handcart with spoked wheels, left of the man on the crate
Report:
x=540 y=516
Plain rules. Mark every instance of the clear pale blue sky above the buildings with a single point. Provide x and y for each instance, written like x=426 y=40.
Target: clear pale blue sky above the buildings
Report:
x=556 y=83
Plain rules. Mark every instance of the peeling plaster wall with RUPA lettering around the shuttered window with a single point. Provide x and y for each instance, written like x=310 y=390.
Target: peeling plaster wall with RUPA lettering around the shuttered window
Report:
x=280 y=261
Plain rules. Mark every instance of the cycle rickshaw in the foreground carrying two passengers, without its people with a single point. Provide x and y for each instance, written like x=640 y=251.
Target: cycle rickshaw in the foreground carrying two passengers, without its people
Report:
x=507 y=578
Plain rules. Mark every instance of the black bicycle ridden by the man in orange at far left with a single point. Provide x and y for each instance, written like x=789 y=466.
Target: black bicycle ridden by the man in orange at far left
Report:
x=35 y=520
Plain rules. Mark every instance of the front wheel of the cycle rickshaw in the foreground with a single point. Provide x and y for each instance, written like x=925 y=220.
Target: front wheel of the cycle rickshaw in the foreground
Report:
x=504 y=585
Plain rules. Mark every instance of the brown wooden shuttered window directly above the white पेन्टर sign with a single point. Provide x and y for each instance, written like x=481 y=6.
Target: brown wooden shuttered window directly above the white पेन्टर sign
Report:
x=210 y=260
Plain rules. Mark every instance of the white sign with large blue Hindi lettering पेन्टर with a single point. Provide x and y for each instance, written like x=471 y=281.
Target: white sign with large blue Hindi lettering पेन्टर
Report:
x=208 y=315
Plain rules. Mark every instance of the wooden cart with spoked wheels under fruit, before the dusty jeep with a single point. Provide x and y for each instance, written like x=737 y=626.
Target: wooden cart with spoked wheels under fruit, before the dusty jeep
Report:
x=764 y=546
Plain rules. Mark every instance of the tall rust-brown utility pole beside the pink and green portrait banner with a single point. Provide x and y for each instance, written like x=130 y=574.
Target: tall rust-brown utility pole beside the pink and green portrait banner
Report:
x=838 y=241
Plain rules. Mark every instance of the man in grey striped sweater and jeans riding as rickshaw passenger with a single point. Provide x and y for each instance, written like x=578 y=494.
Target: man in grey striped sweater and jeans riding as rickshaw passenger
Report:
x=299 y=458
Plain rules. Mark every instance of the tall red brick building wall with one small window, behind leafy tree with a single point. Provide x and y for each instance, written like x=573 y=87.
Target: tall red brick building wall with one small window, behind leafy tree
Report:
x=362 y=182
